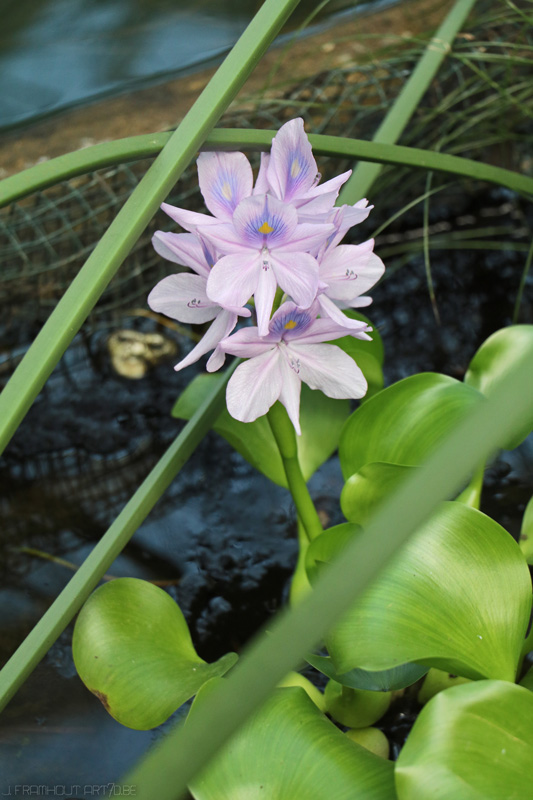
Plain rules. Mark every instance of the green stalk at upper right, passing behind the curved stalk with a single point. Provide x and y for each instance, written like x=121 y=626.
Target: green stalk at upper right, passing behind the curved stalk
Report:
x=408 y=100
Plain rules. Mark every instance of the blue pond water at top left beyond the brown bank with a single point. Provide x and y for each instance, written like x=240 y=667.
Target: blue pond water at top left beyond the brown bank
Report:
x=59 y=53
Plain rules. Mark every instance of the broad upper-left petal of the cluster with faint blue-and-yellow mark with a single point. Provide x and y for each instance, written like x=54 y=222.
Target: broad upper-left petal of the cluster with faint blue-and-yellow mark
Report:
x=225 y=179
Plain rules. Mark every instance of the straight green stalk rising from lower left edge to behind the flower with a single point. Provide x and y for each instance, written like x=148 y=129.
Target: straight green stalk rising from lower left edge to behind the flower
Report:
x=68 y=603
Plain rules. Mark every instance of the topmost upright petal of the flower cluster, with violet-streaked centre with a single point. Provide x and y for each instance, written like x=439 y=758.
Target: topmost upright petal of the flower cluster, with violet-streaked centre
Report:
x=292 y=170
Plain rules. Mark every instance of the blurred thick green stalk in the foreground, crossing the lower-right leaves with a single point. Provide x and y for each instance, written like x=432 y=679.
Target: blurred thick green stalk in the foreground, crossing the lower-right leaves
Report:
x=168 y=768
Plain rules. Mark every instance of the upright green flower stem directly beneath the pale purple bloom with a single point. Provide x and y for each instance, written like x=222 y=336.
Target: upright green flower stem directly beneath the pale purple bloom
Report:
x=285 y=437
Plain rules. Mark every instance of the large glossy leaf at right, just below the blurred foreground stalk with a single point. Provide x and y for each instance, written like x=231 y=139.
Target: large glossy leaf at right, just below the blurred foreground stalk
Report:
x=441 y=602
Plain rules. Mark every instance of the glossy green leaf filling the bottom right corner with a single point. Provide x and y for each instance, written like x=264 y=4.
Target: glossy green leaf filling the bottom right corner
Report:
x=473 y=742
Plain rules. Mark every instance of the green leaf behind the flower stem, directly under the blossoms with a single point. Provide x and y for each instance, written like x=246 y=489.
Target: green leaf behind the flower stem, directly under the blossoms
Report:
x=321 y=420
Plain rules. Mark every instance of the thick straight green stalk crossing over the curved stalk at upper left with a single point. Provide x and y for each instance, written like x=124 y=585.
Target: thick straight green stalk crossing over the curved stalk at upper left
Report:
x=73 y=308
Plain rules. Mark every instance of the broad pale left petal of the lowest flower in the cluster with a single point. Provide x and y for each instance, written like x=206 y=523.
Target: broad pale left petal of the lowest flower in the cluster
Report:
x=254 y=386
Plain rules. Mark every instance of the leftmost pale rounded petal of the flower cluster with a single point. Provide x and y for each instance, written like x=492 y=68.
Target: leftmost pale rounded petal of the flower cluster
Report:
x=183 y=297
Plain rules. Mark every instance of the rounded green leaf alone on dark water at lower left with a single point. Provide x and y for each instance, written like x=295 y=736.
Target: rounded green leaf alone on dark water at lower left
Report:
x=132 y=649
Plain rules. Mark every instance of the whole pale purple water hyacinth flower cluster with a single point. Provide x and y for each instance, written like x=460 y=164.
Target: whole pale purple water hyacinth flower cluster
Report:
x=274 y=248
